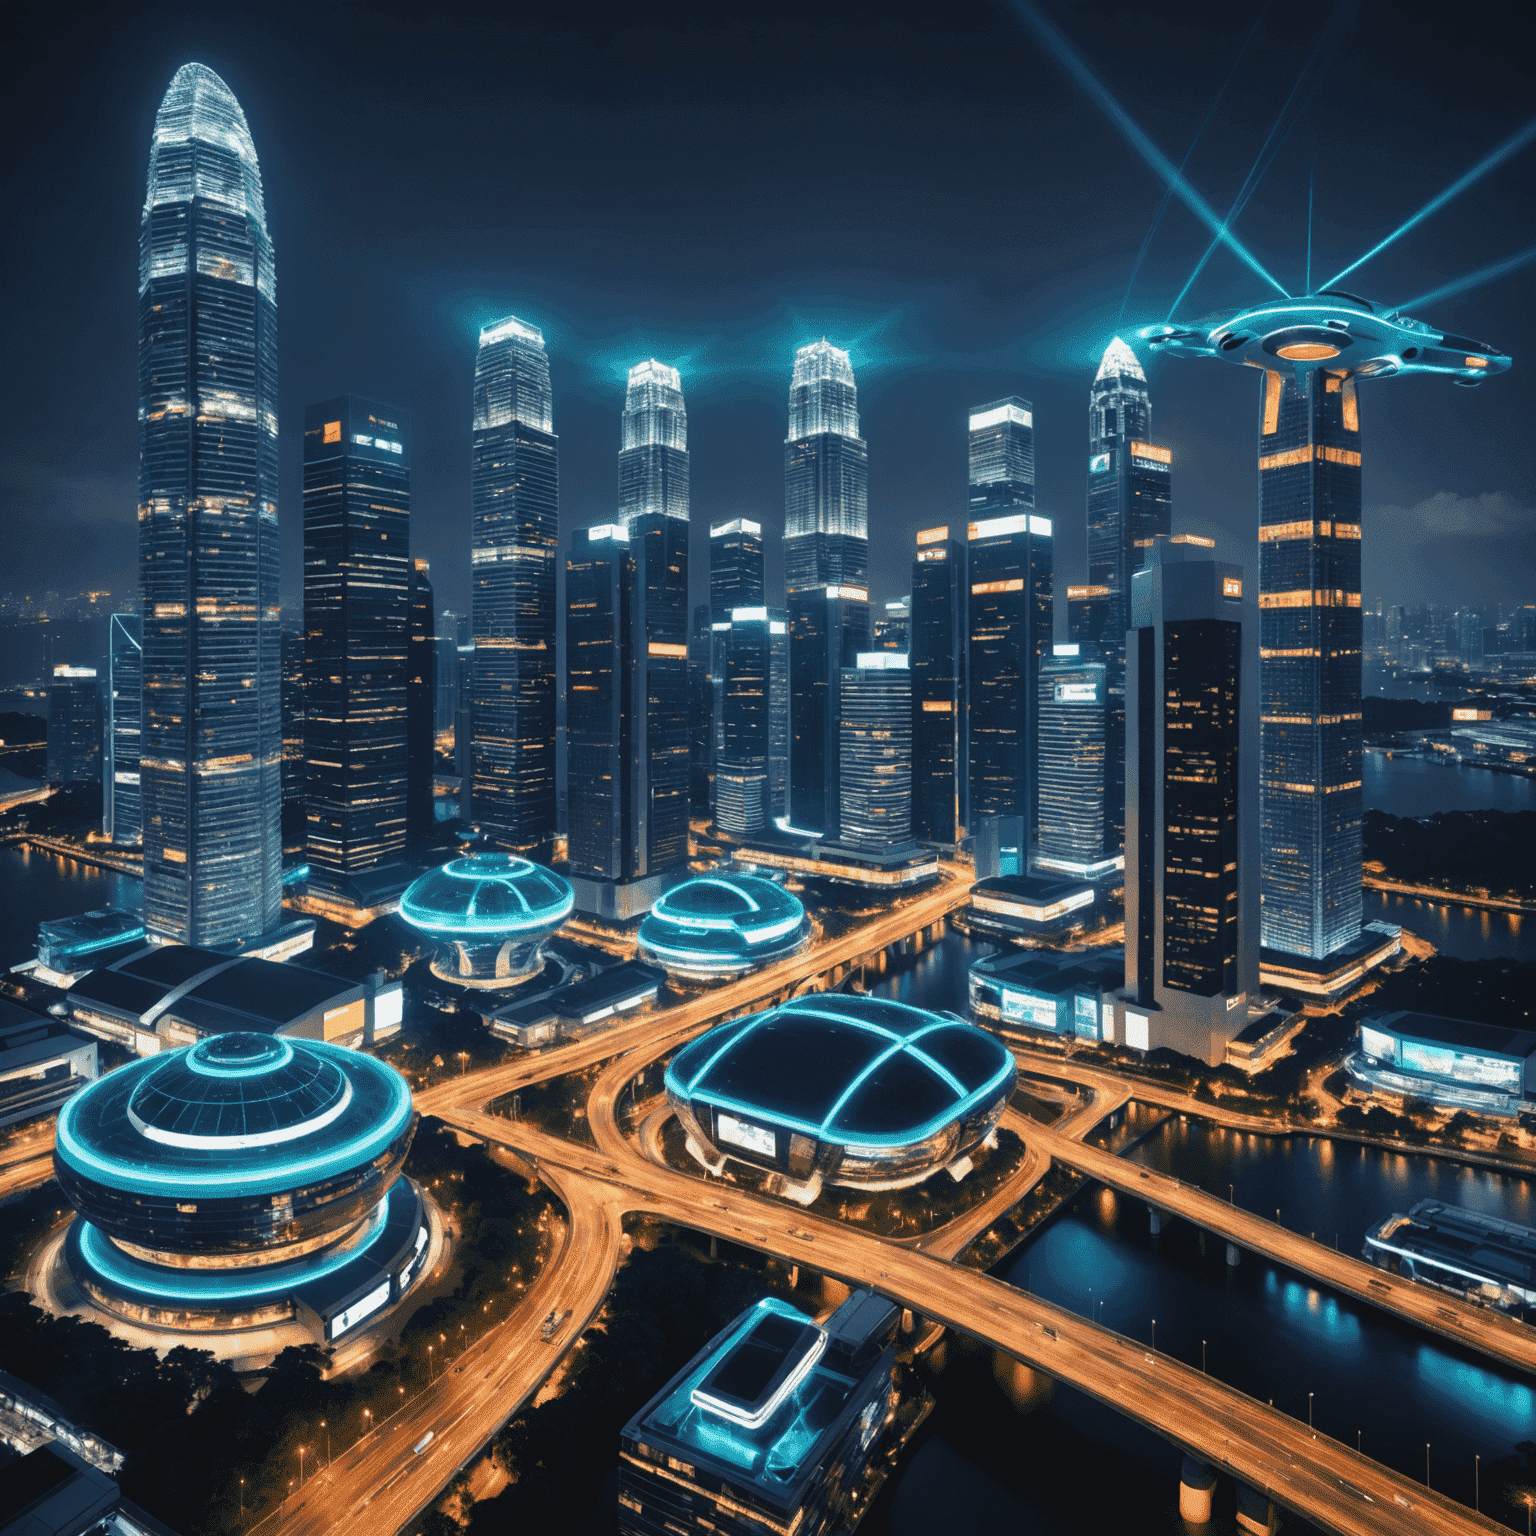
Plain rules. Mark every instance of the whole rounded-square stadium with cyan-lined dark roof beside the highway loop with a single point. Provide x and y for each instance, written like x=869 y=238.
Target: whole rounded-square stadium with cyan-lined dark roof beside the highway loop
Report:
x=835 y=1090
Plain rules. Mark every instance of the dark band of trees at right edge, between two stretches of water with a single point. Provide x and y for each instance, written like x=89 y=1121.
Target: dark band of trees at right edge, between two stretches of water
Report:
x=1492 y=852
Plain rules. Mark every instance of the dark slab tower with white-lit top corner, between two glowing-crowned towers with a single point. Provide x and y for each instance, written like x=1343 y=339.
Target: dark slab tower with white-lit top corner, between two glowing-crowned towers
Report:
x=598 y=727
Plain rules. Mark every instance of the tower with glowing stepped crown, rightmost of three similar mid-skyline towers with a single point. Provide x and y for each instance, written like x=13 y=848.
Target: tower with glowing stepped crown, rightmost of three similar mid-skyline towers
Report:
x=827 y=560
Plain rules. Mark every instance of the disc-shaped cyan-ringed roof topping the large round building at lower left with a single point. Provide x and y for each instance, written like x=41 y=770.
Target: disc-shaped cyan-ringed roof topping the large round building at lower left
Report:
x=231 y=1117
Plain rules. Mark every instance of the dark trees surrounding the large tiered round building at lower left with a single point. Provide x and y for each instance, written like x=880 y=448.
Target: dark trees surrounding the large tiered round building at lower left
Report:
x=187 y=1423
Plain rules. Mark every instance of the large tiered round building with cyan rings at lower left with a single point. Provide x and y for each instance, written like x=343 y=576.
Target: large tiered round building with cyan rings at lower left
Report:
x=240 y=1183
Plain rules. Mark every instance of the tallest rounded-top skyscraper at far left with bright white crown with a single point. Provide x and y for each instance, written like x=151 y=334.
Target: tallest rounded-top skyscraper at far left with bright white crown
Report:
x=208 y=408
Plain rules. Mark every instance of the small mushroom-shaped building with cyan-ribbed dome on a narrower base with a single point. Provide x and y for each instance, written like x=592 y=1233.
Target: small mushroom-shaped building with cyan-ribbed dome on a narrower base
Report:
x=489 y=916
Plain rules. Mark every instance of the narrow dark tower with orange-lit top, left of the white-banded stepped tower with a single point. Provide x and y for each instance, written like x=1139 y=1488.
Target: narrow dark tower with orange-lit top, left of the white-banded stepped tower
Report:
x=939 y=643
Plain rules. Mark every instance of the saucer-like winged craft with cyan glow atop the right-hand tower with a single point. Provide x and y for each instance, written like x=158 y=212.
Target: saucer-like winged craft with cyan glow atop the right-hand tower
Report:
x=1332 y=331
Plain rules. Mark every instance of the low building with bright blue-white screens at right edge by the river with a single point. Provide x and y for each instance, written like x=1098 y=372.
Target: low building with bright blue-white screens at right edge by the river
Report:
x=1448 y=1061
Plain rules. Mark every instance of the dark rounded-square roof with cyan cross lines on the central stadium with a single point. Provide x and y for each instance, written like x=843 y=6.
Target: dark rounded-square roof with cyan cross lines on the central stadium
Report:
x=842 y=1070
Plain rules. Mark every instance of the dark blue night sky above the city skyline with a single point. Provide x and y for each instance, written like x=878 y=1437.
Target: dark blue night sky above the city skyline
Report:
x=717 y=187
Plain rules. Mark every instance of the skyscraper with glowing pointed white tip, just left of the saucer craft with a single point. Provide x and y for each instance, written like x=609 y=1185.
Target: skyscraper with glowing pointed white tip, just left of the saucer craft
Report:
x=1130 y=505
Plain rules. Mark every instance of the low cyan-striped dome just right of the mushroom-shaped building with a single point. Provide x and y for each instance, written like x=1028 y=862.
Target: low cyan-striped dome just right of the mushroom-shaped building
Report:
x=723 y=925
